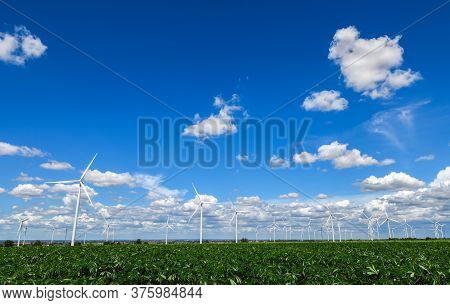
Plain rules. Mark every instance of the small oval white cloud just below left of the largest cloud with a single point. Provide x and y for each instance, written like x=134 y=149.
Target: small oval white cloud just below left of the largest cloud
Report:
x=325 y=101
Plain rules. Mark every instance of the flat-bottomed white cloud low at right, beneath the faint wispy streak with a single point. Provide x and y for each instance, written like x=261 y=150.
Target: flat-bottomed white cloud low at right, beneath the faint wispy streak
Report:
x=392 y=181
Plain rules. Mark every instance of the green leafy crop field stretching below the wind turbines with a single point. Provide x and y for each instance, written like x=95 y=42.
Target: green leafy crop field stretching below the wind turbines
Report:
x=393 y=262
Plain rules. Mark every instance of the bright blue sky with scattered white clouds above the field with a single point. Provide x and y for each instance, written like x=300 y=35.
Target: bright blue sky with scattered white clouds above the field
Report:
x=368 y=83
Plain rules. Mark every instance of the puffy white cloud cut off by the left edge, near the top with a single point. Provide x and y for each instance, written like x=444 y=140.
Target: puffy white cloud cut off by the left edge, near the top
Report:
x=18 y=47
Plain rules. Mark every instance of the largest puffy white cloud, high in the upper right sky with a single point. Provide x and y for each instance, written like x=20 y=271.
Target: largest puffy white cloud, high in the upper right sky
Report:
x=370 y=66
